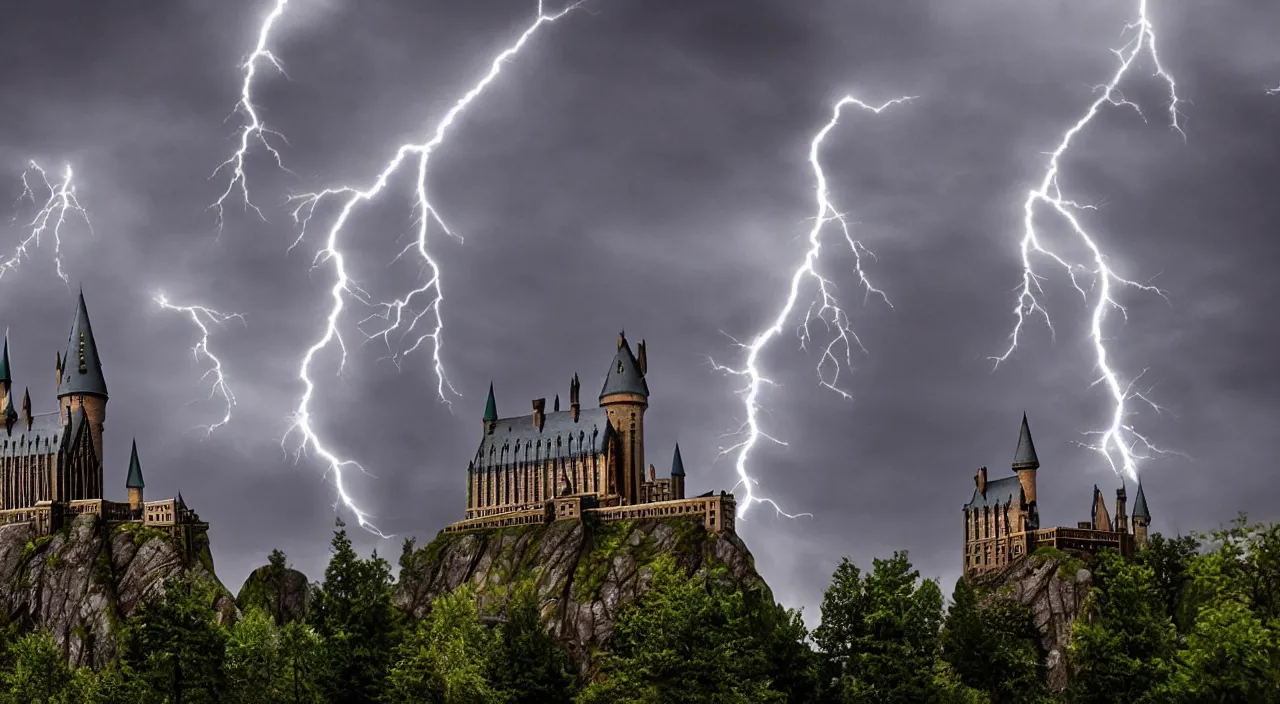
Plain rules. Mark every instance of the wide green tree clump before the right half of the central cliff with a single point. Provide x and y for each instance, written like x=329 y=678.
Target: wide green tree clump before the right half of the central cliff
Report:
x=688 y=641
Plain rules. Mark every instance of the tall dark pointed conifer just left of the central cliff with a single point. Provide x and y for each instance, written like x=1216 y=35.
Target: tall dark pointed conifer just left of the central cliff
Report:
x=354 y=615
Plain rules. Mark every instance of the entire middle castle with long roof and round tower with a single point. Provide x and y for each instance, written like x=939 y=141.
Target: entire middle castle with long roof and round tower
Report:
x=583 y=463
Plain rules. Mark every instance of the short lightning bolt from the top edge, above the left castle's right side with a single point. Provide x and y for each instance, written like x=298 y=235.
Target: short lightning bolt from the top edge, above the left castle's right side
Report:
x=254 y=131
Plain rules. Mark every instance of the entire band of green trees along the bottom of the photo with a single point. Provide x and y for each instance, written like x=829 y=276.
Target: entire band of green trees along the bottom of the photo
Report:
x=1188 y=620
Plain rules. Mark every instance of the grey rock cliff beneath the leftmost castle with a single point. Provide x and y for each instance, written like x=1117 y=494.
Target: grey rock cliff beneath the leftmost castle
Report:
x=86 y=579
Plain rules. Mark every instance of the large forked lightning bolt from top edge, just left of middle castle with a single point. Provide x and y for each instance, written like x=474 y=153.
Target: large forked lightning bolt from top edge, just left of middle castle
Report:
x=400 y=316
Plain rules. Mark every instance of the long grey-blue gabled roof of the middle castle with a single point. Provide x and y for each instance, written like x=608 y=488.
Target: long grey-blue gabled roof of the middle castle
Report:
x=560 y=438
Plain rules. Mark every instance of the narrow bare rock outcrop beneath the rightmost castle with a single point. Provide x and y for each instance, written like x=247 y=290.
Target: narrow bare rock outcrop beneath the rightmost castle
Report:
x=1054 y=587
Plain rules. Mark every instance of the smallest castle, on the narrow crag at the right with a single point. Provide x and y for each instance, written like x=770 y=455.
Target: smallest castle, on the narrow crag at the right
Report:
x=1002 y=522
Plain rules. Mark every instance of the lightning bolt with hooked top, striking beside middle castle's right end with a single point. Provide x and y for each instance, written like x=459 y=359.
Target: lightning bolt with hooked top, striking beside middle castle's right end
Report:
x=825 y=309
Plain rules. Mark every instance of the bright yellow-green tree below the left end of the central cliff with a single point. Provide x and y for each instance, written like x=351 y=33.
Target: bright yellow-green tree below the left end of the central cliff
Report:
x=447 y=659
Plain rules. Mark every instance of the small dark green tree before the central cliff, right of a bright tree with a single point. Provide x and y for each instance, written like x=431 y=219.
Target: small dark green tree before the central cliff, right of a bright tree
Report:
x=528 y=664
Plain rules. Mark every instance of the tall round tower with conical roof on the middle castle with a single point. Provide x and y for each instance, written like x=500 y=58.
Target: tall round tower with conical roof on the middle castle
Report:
x=625 y=399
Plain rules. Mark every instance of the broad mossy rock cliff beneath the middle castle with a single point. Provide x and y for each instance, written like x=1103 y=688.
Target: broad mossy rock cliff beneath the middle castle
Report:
x=584 y=573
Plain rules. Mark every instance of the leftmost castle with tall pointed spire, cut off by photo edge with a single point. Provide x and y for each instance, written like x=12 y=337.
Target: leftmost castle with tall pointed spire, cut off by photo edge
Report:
x=52 y=464
